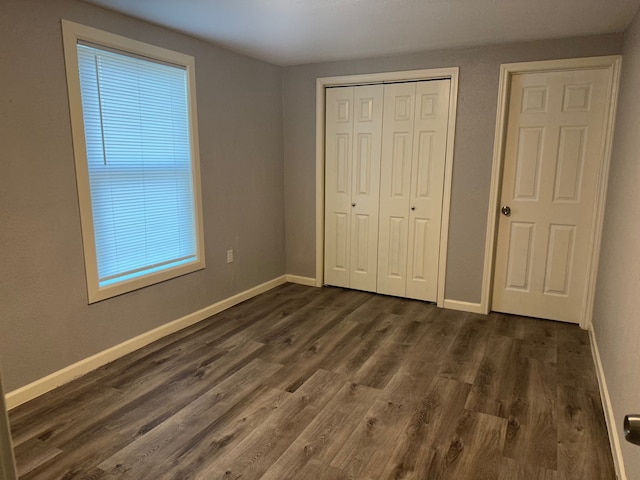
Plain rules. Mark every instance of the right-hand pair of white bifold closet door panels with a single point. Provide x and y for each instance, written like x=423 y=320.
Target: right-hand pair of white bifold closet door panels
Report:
x=411 y=187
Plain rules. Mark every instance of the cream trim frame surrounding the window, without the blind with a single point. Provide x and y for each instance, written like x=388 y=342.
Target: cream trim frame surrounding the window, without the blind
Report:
x=73 y=33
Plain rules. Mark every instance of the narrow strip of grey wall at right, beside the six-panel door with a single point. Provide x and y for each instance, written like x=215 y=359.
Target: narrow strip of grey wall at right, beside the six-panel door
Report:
x=616 y=321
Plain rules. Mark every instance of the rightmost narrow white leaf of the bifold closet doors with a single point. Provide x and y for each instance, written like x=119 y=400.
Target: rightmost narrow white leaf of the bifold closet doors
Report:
x=427 y=184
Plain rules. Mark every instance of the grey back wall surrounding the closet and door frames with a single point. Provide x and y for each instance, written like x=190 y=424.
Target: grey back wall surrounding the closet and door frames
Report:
x=477 y=100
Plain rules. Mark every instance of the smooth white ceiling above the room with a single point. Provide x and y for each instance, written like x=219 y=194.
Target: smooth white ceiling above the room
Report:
x=290 y=32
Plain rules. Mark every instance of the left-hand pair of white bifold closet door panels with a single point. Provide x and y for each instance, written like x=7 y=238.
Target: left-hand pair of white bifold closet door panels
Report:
x=353 y=136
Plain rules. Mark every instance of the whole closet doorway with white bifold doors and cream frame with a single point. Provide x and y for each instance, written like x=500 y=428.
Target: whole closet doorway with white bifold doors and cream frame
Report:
x=384 y=163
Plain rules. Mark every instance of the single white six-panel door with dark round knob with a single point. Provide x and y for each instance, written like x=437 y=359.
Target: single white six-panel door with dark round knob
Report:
x=553 y=154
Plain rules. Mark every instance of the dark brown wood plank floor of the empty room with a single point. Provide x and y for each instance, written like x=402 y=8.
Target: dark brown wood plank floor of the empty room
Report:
x=307 y=383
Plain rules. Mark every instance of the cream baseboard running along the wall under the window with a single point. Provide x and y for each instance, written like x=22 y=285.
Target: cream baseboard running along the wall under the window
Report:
x=55 y=379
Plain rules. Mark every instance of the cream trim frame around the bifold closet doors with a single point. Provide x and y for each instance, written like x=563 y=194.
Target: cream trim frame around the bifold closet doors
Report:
x=389 y=77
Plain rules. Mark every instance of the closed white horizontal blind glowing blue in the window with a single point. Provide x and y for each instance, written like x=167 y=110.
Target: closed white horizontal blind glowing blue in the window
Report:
x=136 y=124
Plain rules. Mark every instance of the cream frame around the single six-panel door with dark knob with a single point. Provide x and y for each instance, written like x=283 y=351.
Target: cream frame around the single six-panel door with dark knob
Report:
x=611 y=63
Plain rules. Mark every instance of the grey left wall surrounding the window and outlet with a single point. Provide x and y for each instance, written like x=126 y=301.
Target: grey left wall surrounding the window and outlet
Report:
x=45 y=322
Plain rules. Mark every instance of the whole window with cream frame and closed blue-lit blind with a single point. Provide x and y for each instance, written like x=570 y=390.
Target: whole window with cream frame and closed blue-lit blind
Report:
x=135 y=140
